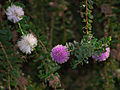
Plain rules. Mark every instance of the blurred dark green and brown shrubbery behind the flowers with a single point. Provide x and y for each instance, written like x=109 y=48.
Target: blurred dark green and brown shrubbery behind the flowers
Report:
x=57 y=22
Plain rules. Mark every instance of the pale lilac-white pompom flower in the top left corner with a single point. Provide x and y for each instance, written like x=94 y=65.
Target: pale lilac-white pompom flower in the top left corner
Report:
x=14 y=13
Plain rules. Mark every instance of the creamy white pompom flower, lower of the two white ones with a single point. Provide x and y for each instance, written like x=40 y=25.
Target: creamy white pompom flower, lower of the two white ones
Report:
x=27 y=43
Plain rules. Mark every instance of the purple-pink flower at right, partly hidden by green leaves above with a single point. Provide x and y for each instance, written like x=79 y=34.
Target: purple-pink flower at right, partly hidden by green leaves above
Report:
x=102 y=56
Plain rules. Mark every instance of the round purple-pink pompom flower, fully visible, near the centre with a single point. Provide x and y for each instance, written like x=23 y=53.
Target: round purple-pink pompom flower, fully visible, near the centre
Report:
x=60 y=54
